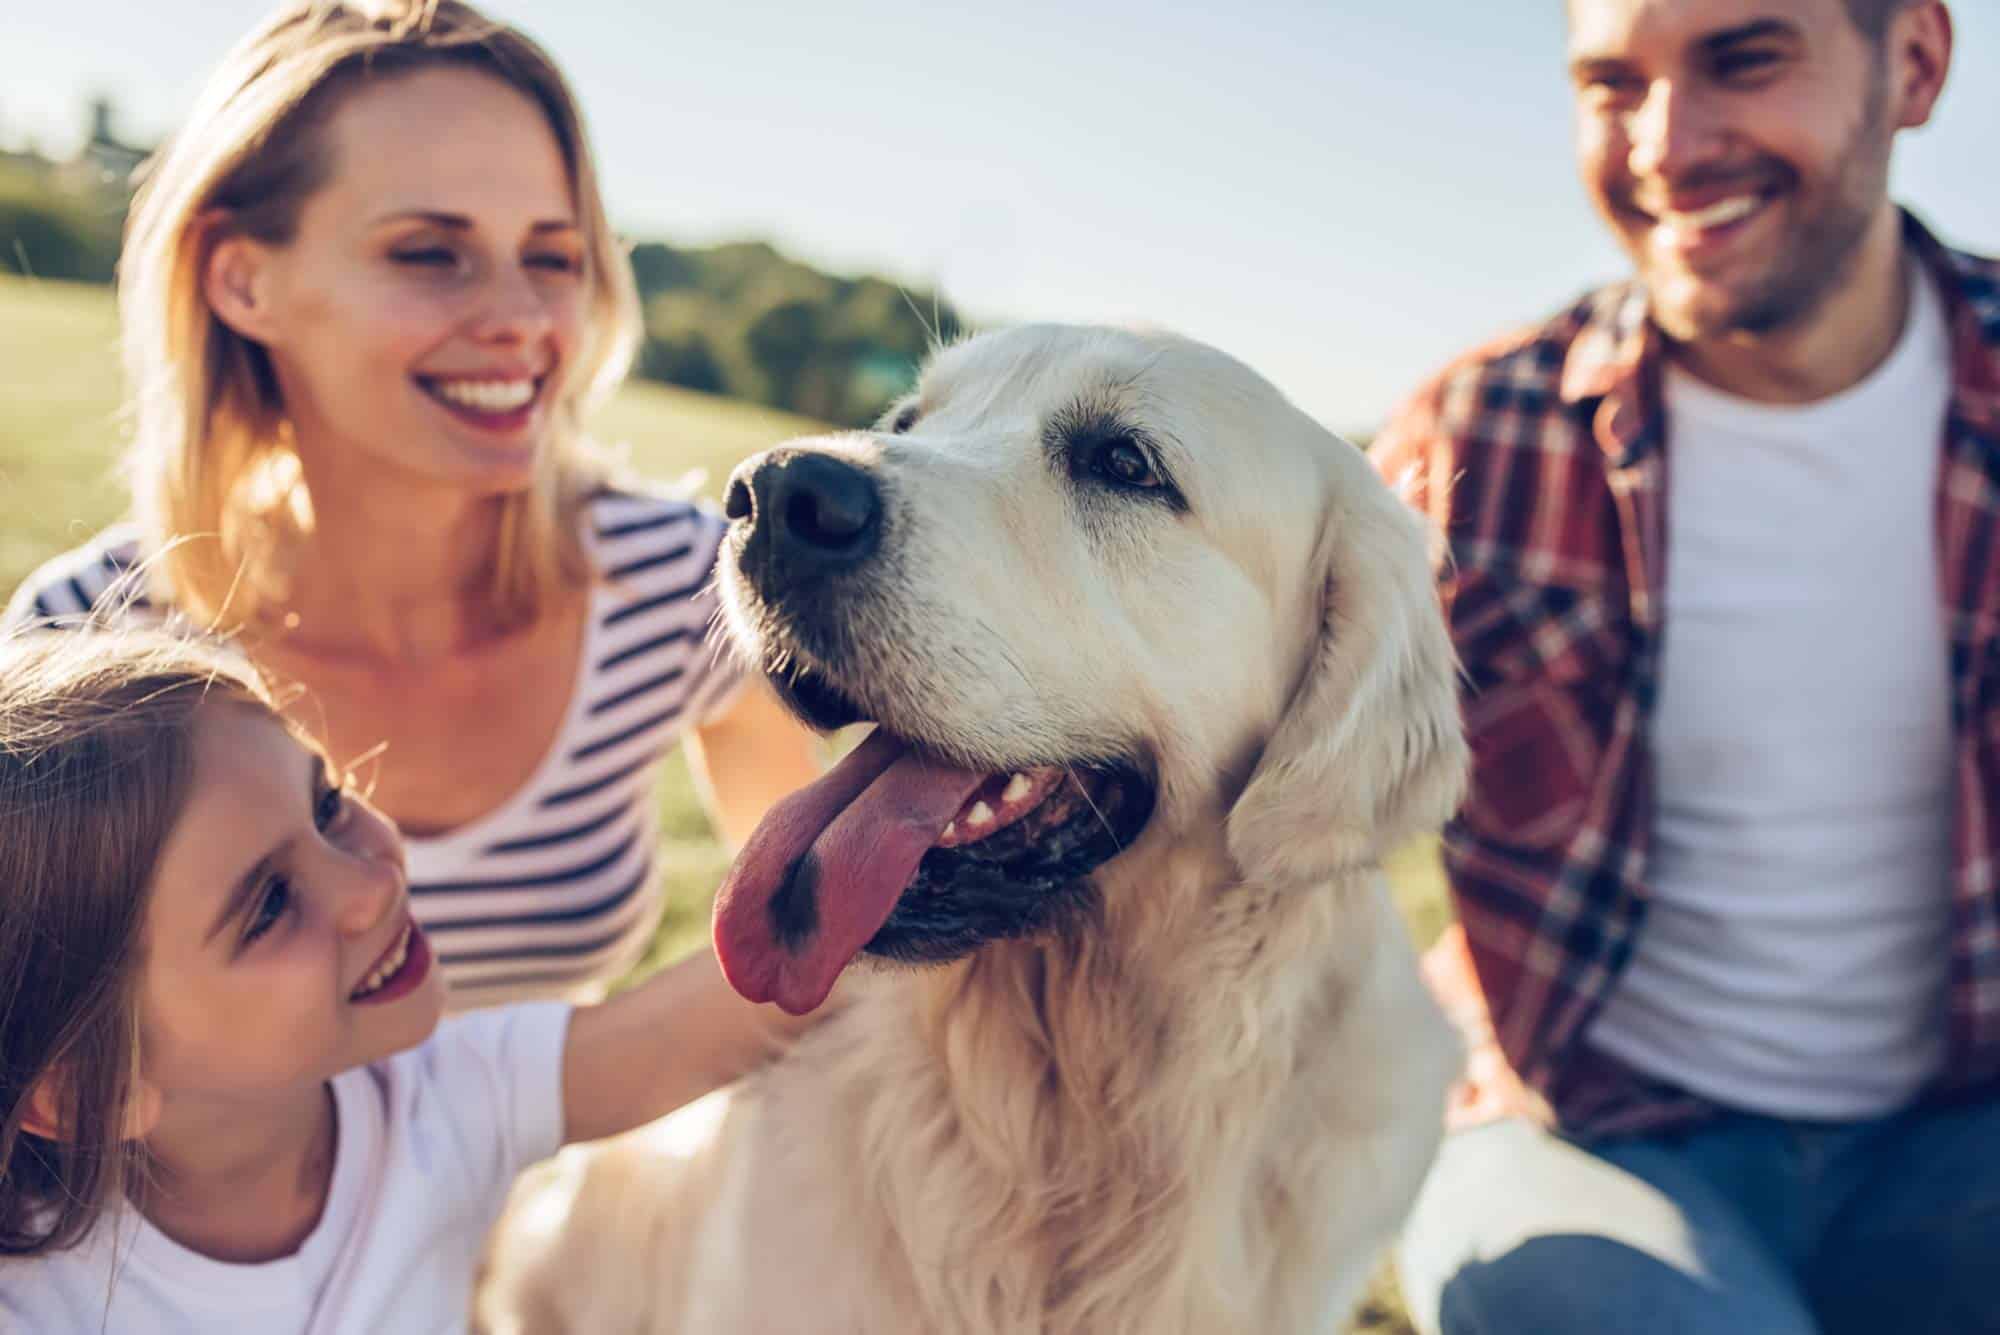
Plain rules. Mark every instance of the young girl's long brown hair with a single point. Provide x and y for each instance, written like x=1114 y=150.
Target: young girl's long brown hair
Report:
x=97 y=744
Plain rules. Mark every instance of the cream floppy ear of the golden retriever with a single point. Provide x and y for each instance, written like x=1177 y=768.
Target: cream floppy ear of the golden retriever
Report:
x=1371 y=748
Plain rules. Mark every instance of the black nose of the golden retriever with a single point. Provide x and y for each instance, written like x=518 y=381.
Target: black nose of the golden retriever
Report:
x=809 y=515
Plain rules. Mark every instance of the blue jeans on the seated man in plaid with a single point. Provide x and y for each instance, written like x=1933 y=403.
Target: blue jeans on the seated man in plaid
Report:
x=1745 y=1226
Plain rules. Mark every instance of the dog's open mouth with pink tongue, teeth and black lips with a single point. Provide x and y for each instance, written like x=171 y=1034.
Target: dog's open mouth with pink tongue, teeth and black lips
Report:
x=903 y=854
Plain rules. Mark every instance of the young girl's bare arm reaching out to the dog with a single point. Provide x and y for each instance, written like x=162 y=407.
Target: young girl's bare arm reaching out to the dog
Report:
x=667 y=1042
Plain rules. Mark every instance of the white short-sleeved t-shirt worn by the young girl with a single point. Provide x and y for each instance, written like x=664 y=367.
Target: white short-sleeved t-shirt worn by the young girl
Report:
x=429 y=1146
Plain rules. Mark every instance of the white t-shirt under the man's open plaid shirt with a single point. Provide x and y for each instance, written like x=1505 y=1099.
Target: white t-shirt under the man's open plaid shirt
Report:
x=1797 y=938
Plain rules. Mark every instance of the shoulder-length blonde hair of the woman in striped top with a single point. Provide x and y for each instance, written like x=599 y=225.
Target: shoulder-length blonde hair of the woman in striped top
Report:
x=209 y=455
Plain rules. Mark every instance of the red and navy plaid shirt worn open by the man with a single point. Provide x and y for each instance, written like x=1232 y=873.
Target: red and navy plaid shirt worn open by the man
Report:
x=1541 y=461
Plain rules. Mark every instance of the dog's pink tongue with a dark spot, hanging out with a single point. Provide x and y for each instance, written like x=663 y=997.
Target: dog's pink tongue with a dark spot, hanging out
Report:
x=825 y=868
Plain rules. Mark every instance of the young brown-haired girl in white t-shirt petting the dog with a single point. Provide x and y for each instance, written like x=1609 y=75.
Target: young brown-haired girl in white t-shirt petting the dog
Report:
x=227 y=1100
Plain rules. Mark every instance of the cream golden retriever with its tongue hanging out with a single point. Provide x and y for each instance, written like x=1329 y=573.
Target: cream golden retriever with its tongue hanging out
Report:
x=1159 y=676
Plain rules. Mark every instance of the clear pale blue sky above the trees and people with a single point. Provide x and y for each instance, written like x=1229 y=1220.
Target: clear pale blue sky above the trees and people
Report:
x=1343 y=193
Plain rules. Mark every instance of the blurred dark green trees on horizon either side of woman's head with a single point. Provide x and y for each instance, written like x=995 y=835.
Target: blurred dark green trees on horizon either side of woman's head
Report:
x=737 y=319
